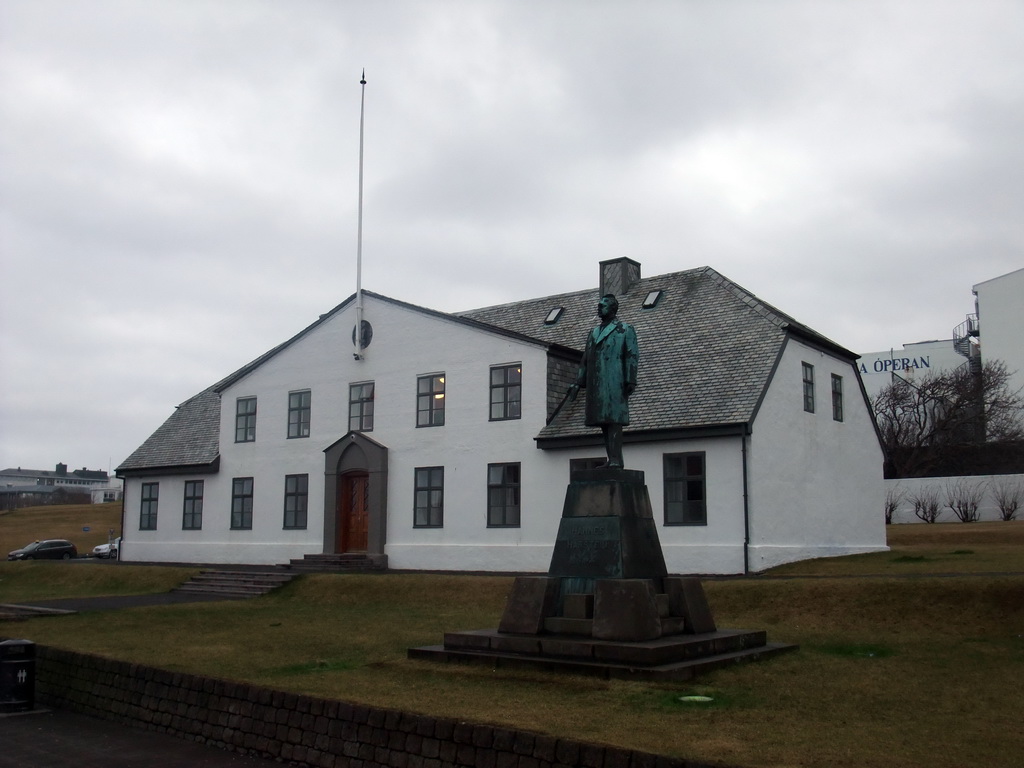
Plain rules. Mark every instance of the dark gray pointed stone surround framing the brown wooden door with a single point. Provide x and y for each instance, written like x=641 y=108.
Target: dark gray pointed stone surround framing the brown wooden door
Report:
x=356 y=453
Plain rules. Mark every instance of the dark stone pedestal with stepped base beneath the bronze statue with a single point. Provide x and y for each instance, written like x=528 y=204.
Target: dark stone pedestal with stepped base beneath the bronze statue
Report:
x=608 y=606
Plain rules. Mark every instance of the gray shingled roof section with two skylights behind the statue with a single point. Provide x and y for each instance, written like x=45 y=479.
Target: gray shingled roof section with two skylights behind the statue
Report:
x=707 y=350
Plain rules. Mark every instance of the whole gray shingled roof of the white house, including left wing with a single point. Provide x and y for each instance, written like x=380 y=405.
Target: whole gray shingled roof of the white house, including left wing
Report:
x=707 y=353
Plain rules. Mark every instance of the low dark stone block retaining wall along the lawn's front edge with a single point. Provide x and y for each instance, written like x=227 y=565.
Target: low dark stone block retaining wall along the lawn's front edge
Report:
x=304 y=731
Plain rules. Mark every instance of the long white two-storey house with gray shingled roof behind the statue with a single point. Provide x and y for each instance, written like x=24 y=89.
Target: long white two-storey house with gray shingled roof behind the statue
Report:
x=433 y=450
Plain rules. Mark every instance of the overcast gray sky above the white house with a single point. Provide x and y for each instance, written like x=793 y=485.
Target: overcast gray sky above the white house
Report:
x=179 y=179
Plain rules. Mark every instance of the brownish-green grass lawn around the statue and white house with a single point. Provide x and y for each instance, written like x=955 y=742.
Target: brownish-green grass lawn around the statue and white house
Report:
x=892 y=671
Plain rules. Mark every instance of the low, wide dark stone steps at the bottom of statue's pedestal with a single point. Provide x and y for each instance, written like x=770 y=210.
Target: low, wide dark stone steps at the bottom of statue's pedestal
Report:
x=675 y=658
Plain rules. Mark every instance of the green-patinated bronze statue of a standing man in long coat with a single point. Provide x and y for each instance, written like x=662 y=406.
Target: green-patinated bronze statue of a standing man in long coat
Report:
x=609 y=373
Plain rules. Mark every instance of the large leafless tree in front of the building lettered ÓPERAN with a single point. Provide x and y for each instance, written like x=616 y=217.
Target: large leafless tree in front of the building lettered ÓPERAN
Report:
x=924 y=423
